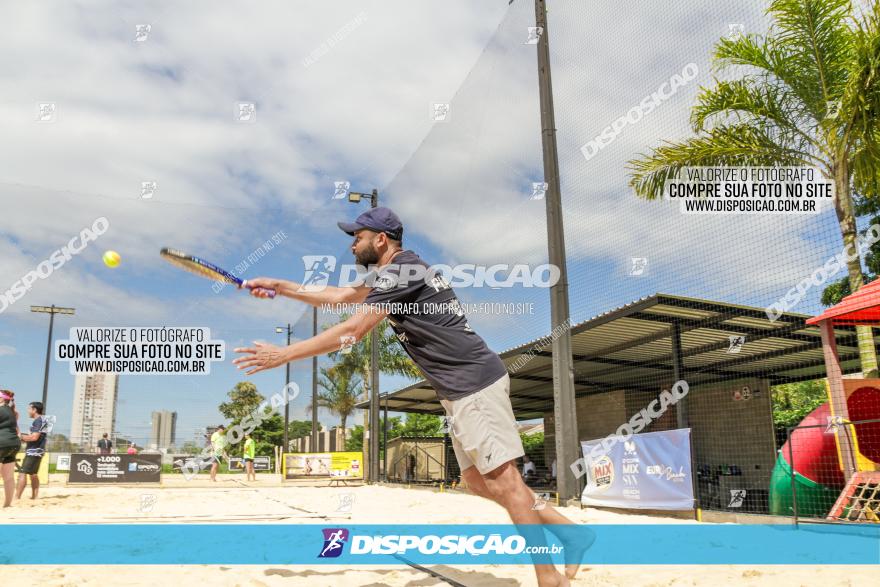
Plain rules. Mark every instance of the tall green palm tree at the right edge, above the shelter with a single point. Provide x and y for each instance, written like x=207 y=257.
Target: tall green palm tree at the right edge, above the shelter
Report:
x=810 y=96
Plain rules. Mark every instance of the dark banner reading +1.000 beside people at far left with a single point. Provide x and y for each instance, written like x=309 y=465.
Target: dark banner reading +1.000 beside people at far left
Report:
x=91 y=468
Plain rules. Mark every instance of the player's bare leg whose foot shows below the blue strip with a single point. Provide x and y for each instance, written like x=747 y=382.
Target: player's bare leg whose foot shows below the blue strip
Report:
x=507 y=488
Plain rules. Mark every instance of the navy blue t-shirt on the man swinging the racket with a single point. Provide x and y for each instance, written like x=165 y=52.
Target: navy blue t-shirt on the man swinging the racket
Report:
x=428 y=321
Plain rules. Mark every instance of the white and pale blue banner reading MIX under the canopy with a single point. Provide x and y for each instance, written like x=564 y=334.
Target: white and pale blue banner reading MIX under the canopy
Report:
x=648 y=471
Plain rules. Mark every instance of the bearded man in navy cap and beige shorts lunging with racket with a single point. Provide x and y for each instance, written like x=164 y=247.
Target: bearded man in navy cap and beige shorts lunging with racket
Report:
x=470 y=380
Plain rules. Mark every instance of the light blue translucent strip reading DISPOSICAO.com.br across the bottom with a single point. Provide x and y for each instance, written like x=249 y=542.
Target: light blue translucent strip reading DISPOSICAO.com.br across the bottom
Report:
x=459 y=544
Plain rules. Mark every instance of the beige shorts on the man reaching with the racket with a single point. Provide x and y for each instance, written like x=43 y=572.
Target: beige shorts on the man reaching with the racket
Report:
x=483 y=428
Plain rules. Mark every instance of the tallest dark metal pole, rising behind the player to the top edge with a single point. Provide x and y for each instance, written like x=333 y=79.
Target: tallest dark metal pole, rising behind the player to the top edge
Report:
x=563 y=373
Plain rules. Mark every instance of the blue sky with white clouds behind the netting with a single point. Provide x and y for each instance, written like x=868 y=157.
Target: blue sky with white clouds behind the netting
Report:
x=163 y=110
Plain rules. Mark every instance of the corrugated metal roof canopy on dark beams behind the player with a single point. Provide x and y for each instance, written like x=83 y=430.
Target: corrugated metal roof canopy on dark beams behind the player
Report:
x=631 y=348
